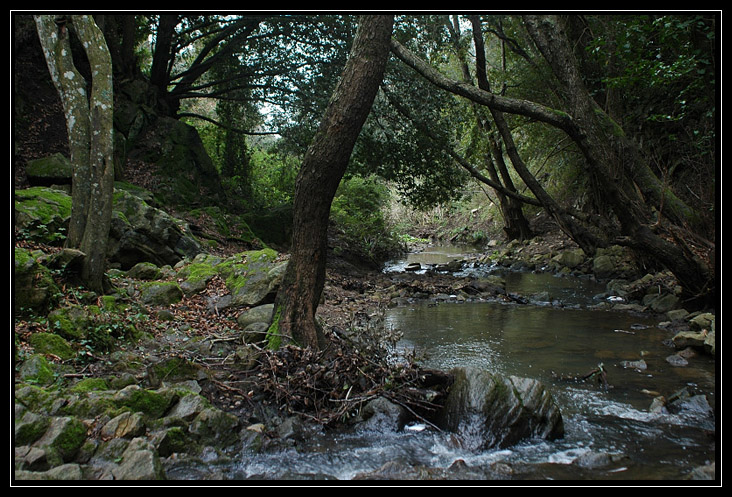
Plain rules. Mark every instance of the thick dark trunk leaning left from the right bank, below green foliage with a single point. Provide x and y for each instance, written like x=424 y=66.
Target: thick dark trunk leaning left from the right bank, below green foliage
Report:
x=620 y=171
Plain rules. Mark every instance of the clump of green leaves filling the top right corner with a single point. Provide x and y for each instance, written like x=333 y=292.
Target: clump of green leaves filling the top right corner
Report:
x=664 y=67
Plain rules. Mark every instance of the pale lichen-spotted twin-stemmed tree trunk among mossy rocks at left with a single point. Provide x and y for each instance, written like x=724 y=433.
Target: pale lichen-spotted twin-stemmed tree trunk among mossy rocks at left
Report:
x=89 y=127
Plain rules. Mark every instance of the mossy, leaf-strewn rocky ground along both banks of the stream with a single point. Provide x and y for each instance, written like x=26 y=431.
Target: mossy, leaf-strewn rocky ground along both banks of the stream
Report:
x=169 y=376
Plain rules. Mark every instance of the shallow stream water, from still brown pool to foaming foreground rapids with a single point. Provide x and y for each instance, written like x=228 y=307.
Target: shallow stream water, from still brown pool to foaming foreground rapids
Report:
x=609 y=434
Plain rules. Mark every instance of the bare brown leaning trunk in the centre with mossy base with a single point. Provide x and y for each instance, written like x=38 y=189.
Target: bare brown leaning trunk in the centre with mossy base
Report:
x=320 y=174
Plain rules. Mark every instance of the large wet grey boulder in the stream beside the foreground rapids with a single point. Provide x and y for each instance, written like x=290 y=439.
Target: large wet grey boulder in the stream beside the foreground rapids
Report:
x=488 y=410
